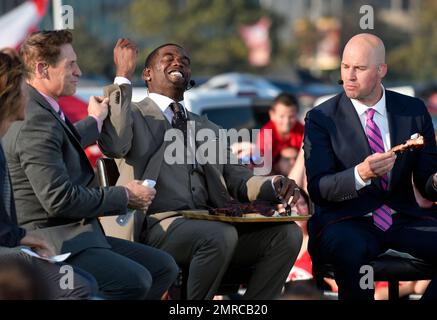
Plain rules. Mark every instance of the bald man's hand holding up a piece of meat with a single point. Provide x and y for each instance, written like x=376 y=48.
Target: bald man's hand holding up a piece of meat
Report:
x=376 y=165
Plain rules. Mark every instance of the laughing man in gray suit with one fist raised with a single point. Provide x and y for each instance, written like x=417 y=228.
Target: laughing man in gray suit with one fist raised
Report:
x=134 y=133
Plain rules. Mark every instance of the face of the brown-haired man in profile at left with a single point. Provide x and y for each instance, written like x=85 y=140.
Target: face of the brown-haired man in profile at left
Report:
x=64 y=76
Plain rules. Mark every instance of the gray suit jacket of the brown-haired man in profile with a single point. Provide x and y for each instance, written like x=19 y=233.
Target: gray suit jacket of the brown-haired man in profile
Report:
x=55 y=189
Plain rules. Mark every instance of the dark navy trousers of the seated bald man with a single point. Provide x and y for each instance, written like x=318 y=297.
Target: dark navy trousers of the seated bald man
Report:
x=350 y=244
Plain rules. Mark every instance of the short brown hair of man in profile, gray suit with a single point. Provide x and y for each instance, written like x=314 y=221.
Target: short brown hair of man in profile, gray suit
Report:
x=44 y=45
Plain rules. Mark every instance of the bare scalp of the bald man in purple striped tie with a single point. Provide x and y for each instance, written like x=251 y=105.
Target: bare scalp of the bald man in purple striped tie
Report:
x=368 y=44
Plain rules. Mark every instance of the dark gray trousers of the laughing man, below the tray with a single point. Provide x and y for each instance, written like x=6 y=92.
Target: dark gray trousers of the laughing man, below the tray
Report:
x=210 y=248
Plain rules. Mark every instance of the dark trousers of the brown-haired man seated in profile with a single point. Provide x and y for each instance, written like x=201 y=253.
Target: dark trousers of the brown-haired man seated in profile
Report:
x=128 y=270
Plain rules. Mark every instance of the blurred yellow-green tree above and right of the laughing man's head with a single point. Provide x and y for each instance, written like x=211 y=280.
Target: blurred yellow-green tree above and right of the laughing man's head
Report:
x=208 y=29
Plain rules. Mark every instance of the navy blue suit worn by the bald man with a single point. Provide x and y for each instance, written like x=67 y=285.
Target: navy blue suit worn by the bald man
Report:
x=340 y=232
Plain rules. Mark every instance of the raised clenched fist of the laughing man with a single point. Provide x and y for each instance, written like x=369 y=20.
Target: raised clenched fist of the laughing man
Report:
x=125 y=56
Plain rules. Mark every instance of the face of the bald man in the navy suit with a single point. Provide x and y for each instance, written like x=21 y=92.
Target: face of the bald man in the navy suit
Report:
x=361 y=75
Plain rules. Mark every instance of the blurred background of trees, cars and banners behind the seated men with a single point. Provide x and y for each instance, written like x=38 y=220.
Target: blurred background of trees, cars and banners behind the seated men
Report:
x=244 y=52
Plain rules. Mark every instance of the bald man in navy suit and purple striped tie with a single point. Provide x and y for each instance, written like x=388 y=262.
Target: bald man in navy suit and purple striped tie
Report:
x=362 y=191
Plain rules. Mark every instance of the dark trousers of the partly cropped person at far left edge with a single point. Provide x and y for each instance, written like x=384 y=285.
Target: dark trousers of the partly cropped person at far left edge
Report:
x=50 y=275
